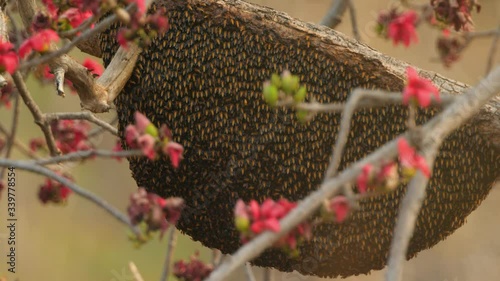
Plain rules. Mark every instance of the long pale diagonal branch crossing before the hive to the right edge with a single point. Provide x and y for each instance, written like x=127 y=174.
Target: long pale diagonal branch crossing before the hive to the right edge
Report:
x=439 y=127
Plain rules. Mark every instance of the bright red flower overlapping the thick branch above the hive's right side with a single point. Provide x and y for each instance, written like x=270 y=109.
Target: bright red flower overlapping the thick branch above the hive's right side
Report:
x=419 y=89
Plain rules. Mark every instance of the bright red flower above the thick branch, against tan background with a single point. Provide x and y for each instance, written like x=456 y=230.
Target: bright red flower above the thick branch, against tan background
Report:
x=402 y=28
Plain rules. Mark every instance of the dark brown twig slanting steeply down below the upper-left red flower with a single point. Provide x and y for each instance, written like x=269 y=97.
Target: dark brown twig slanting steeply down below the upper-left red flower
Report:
x=36 y=112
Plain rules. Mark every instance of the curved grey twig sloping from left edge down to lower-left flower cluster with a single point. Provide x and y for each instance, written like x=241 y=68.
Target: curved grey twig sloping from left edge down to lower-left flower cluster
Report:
x=30 y=166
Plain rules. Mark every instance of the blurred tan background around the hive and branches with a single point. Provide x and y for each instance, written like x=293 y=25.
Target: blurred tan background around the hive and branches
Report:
x=81 y=242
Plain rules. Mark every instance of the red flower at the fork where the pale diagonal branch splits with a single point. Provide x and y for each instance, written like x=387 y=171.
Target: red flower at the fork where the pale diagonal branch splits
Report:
x=410 y=160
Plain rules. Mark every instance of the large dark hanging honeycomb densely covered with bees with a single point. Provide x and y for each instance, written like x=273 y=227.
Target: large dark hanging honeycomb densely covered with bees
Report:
x=203 y=78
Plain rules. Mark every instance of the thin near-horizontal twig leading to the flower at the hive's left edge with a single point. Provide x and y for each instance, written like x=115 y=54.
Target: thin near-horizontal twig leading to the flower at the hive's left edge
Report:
x=85 y=154
